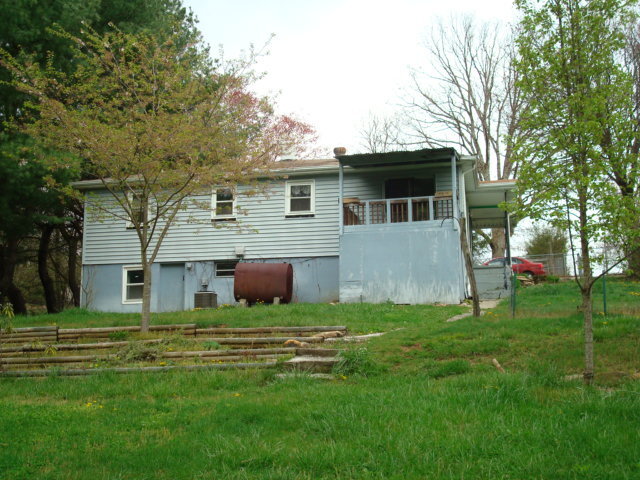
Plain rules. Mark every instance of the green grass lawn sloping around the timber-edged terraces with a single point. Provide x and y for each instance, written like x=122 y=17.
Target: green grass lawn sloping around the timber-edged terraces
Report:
x=422 y=401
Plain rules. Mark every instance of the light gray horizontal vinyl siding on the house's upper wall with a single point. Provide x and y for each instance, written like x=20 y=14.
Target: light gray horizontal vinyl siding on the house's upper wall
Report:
x=264 y=231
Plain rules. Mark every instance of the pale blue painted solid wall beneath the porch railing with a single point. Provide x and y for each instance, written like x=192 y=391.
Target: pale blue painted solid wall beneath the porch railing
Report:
x=402 y=264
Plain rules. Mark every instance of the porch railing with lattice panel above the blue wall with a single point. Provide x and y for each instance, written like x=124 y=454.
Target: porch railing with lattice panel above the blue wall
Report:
x=396 y=210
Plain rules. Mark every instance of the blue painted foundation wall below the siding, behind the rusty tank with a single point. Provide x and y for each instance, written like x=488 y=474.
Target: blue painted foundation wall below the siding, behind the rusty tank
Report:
x=315 y=280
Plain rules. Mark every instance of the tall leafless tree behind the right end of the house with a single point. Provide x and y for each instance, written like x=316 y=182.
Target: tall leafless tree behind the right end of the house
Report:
x=470 y=97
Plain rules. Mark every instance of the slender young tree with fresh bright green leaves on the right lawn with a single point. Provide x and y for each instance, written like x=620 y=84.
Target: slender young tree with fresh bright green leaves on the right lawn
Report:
x=578 y=99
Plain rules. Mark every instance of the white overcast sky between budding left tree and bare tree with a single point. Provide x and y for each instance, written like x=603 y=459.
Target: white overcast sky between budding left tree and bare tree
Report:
x=332 y=62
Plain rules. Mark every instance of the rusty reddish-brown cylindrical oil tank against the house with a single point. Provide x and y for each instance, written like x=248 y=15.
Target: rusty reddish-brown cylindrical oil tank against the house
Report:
x=262 y=282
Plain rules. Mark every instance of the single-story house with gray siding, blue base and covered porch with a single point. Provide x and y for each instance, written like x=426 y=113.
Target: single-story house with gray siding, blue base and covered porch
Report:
x=356 y=228
